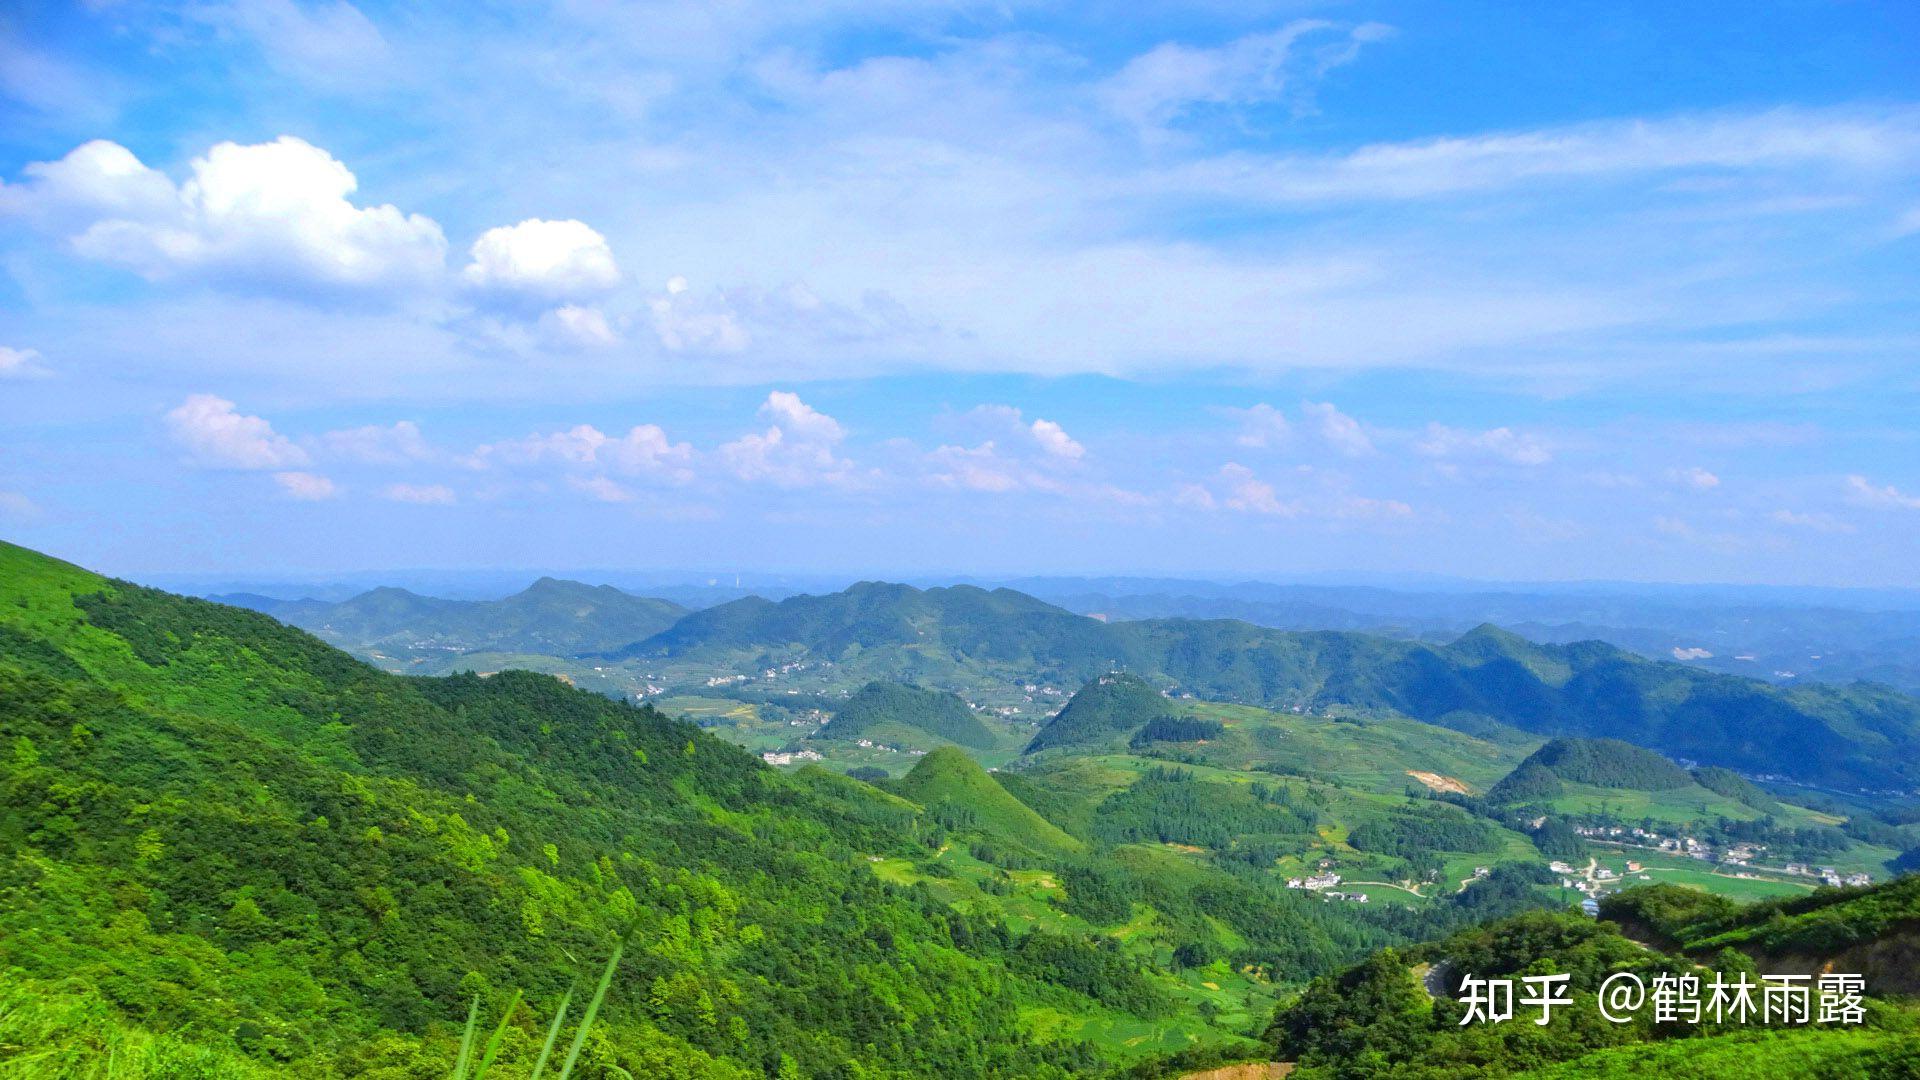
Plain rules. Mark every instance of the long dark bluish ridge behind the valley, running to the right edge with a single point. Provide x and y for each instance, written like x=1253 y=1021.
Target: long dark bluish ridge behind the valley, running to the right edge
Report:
x=1846 y=737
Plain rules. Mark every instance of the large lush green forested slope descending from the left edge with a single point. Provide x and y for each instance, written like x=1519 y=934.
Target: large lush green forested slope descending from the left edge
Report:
x=222 y=827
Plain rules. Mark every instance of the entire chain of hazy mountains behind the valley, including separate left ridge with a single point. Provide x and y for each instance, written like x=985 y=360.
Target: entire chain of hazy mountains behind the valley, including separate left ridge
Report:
x=1840 y=737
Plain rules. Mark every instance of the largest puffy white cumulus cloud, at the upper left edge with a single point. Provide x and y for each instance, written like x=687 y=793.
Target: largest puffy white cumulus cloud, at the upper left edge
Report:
x=274 y=212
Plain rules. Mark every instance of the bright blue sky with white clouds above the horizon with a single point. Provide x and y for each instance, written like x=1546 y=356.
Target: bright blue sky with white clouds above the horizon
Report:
x=1512 y=291
